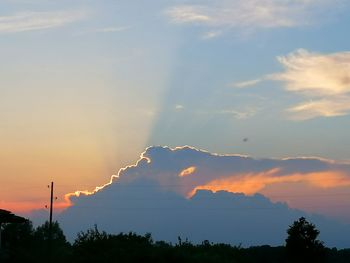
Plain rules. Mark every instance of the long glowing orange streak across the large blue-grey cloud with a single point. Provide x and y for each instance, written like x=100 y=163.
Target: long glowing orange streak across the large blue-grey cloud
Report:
x=252 y=183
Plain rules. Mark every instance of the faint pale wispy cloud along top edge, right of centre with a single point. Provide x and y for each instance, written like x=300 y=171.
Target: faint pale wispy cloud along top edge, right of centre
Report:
x=251 y=14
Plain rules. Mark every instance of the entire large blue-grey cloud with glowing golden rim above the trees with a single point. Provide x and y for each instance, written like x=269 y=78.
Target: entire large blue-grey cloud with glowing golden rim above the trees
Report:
x=166 y=193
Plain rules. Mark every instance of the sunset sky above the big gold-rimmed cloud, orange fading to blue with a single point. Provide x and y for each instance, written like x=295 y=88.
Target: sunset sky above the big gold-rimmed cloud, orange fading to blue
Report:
x=86 y=86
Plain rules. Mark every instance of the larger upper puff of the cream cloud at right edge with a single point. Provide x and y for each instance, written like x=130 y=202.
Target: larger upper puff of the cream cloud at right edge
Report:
x=315 y=74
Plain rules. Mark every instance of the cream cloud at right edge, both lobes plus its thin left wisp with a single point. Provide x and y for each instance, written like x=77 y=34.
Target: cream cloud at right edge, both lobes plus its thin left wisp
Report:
x=324 y=79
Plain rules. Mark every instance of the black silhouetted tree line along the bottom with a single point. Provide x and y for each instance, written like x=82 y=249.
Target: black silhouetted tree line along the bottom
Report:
x=24 y=243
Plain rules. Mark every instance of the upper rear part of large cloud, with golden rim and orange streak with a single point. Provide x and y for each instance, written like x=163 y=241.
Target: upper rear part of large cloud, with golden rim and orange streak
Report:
x=248 y=181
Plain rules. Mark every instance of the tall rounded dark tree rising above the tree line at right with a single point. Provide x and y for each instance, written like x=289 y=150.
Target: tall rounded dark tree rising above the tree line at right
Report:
x=302 y=244
